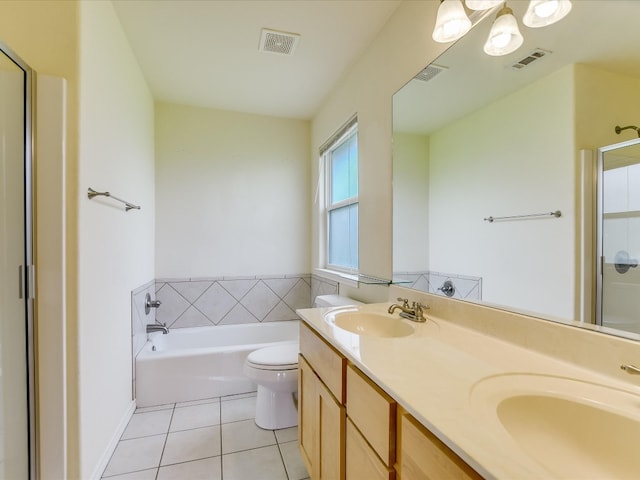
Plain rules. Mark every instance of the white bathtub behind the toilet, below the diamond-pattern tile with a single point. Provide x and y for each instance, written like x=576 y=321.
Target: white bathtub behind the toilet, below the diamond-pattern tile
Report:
x=202 y=362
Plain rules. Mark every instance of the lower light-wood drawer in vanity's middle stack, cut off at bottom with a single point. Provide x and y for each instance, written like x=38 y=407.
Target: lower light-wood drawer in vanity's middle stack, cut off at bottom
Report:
x=362 y=462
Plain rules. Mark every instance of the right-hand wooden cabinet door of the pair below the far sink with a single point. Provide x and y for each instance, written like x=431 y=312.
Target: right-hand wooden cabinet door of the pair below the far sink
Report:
x=331 y=423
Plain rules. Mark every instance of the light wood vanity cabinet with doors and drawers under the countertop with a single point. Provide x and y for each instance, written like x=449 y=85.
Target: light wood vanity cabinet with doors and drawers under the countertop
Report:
x=350 y=429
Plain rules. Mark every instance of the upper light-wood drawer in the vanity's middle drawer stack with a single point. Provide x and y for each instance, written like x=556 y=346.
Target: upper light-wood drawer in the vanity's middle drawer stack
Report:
x=373 y=412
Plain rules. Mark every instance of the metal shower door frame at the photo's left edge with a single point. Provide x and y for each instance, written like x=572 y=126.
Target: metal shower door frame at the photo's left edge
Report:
x=27 y=278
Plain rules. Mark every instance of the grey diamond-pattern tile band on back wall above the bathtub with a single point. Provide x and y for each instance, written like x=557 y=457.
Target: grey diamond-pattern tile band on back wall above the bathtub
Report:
x=225 y=301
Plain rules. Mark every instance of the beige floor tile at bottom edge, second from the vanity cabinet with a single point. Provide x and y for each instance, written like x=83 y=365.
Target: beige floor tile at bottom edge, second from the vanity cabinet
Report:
x=261 y=463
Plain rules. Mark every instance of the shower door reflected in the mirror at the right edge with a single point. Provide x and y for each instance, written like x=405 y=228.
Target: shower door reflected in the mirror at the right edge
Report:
x=618 y=299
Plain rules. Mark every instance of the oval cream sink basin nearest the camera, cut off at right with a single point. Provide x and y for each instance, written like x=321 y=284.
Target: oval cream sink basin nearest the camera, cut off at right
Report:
x=574 y=429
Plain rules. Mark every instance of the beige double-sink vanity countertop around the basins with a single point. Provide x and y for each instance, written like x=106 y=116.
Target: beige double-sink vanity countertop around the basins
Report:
x=446 y=376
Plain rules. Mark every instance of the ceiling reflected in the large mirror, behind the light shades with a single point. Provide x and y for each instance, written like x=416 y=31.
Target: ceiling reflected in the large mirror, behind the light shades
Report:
x=602 y=34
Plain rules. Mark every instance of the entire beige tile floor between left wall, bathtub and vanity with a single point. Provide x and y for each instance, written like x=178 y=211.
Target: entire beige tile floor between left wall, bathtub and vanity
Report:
x=209 y=439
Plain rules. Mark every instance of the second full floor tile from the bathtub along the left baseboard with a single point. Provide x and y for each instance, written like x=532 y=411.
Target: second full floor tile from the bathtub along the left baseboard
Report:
x=136 y=454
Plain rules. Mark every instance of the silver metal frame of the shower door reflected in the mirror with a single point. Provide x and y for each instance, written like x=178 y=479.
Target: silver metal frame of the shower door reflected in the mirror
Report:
x=599 y=256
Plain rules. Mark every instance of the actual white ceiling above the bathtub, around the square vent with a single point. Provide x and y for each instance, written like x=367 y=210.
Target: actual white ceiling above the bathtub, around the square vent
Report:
x=205 y=52
